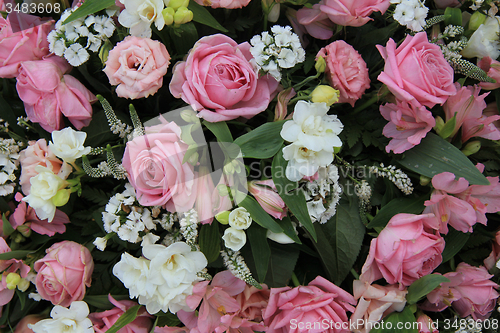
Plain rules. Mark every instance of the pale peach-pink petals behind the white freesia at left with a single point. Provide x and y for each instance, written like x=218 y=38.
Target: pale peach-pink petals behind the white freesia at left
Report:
x=37 y=153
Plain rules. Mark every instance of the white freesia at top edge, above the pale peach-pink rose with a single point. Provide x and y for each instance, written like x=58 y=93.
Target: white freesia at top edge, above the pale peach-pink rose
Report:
x=138 y=15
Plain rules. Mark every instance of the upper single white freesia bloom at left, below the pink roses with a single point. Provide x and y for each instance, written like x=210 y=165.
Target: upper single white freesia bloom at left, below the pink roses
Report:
x=67 y=144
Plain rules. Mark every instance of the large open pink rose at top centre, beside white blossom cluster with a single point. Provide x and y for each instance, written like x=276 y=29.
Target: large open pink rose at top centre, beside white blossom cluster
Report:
x=218 y=80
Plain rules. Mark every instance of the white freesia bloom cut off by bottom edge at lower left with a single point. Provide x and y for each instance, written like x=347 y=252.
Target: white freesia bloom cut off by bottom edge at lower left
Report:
x=66 y=320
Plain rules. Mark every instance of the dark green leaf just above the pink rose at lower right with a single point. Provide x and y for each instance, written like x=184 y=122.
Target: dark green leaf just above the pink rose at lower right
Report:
x=396 y=206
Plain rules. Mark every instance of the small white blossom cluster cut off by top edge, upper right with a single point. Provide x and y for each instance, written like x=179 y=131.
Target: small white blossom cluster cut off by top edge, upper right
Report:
x=410 y=13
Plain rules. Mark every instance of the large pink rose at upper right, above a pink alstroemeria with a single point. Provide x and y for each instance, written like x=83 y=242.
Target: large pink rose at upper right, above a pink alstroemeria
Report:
x=416 y=71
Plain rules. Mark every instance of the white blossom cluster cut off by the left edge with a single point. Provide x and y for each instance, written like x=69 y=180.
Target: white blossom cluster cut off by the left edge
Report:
x=9 y=155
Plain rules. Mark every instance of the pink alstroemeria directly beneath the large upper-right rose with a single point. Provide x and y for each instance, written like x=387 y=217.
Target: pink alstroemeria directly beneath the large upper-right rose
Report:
x=408 y=125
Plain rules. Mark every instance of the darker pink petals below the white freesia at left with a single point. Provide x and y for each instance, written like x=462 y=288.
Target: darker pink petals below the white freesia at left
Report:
x=25 y=215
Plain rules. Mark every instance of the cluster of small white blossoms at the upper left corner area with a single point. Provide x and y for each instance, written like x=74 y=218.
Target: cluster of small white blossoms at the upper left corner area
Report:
x=74 y=40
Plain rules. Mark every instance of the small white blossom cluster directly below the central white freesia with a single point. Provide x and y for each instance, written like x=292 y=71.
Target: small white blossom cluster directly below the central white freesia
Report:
x=323 y=194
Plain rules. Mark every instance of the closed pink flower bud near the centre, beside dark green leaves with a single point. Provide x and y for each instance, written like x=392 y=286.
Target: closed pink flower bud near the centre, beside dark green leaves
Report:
x=268 y=198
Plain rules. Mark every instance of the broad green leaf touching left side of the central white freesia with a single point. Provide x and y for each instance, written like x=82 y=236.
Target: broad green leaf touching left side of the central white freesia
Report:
x=262 y=142
